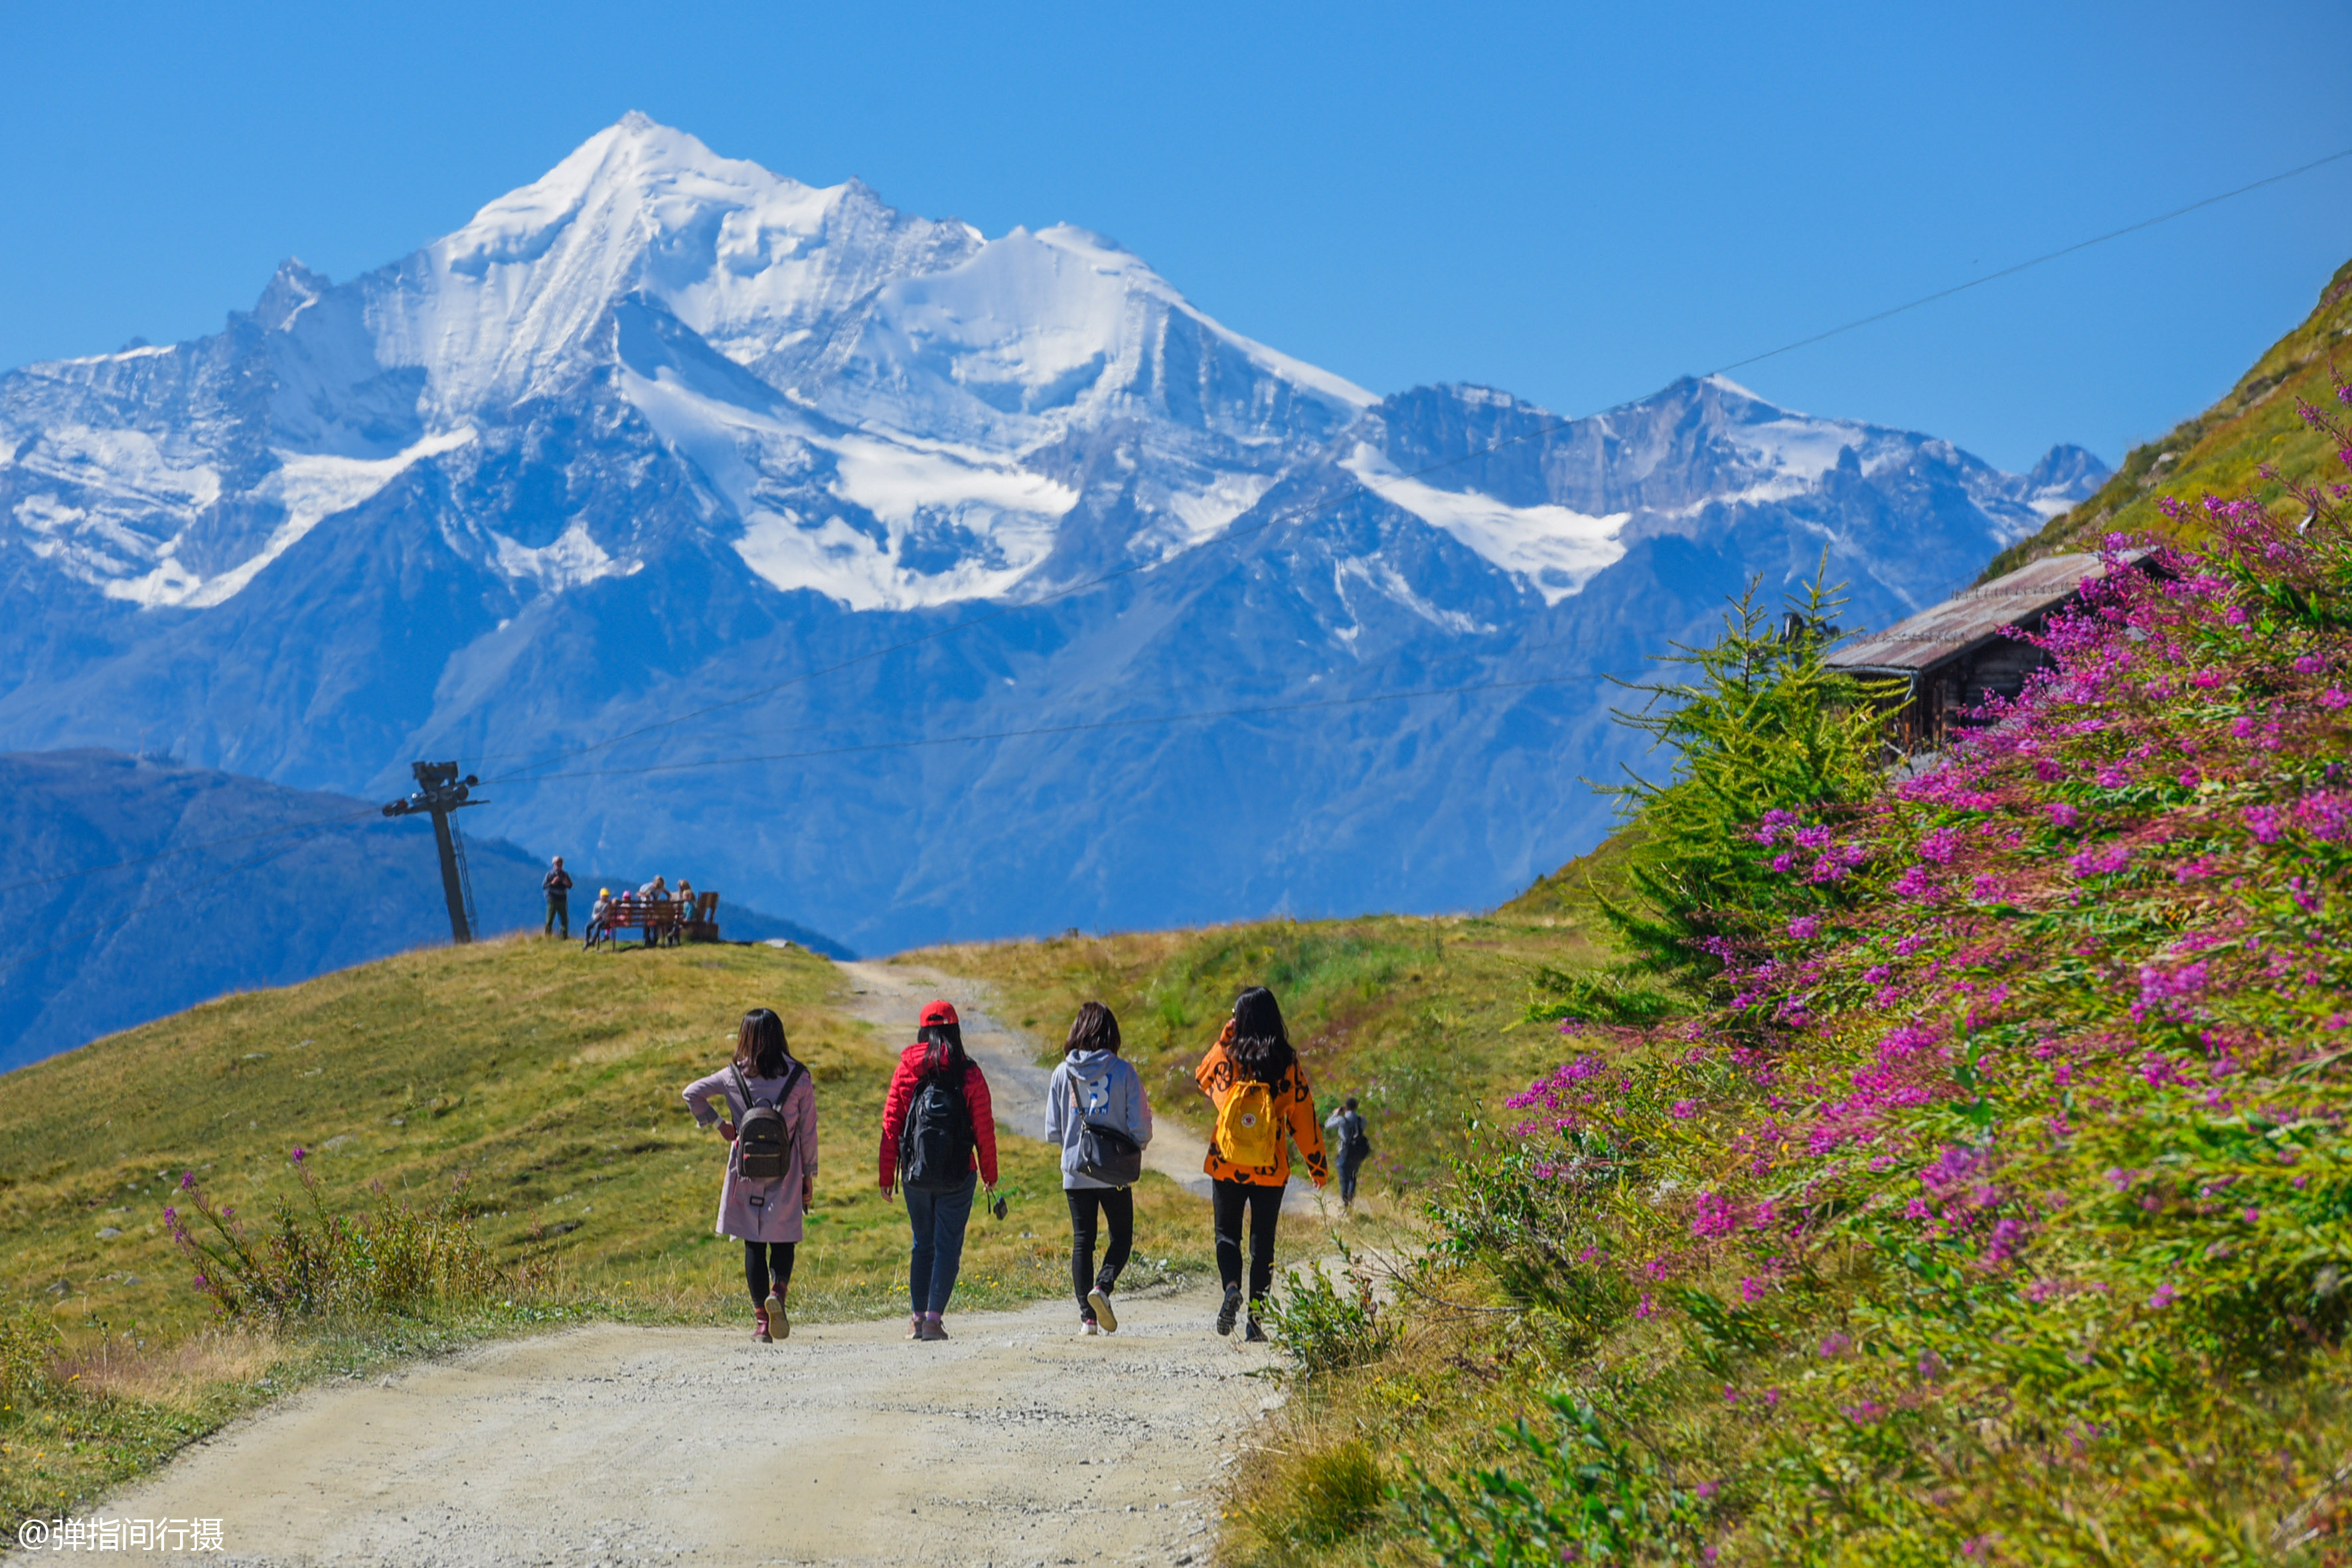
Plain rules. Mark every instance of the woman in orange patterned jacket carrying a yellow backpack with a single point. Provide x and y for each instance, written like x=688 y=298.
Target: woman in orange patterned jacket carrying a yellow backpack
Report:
x=1259 y=1092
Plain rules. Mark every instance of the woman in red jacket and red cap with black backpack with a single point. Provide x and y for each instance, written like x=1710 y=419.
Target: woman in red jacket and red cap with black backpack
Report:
x=937 y=1137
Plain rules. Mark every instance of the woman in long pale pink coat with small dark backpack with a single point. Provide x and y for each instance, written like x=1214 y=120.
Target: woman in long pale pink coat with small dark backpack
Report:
x=770 y=1125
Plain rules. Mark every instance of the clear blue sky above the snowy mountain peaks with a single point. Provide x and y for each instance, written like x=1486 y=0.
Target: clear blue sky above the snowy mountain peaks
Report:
x=1575 y=203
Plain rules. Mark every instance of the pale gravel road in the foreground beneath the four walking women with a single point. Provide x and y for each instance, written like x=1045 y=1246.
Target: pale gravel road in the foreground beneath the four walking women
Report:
x=1017 y=1442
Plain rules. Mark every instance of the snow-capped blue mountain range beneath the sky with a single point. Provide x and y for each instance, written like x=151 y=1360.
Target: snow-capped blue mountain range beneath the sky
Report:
x=667 y=431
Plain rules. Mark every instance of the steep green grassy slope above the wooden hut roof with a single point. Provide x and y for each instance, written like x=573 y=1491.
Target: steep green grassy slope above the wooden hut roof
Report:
x=2224 y=448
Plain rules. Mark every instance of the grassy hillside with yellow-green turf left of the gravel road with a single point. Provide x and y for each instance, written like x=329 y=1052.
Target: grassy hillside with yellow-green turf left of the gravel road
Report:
x=533 y=1083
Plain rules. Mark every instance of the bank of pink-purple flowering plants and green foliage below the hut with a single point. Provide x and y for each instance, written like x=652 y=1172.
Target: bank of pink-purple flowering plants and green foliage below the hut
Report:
x=2005 y=1209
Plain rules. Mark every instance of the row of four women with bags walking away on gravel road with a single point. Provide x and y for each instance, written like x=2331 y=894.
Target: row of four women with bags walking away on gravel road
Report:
x=940 y=1146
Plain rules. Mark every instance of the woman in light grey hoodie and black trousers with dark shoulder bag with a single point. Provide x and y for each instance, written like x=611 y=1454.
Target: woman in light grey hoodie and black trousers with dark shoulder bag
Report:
x=1097 y=1113
